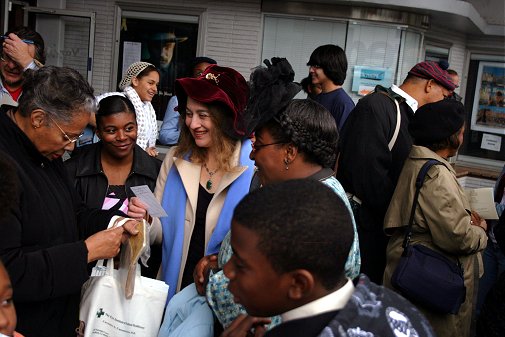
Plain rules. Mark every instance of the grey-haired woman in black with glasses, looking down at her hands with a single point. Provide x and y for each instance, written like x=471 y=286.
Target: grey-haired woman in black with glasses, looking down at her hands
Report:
x=48 y=236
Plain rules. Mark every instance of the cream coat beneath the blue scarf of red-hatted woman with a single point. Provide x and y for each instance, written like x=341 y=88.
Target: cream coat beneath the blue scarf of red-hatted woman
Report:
x=190 y=175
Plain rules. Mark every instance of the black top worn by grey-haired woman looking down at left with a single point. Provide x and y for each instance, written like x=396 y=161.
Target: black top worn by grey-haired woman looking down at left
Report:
x=41 y=238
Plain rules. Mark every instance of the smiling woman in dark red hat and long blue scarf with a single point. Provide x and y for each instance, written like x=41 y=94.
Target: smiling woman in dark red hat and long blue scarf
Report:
x=206 y=175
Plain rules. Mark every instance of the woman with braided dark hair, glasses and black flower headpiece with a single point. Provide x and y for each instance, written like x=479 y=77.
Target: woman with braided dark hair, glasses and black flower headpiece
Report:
x=294 y=139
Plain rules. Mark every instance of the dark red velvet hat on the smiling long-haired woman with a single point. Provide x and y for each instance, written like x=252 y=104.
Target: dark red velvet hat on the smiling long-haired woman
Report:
x=217 y=85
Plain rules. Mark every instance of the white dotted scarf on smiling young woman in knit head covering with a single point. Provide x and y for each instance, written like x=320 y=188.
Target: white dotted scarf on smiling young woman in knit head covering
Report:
x=146 y=119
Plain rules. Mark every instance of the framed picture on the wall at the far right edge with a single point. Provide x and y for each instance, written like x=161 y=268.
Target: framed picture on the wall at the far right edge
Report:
x=488 y=113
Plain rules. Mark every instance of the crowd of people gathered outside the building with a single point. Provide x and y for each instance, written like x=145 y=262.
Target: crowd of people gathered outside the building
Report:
x=286 y=217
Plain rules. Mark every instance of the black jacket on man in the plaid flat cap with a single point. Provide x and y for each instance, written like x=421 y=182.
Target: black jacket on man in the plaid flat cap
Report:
x=367 y=168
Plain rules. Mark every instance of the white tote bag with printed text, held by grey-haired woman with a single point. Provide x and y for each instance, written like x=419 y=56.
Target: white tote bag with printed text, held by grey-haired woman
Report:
x=105 y=310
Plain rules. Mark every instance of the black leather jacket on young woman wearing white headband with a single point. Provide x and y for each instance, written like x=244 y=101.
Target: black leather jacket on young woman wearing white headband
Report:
x=85 y=170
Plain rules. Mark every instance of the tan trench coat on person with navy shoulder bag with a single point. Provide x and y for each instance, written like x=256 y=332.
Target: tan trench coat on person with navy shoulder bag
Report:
x=441 y=222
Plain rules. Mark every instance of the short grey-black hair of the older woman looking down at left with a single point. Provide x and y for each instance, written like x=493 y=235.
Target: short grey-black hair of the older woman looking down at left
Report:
x=59 y=91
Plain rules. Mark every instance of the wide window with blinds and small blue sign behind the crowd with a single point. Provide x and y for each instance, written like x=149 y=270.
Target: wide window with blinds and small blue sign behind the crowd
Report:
x=376 y=53
